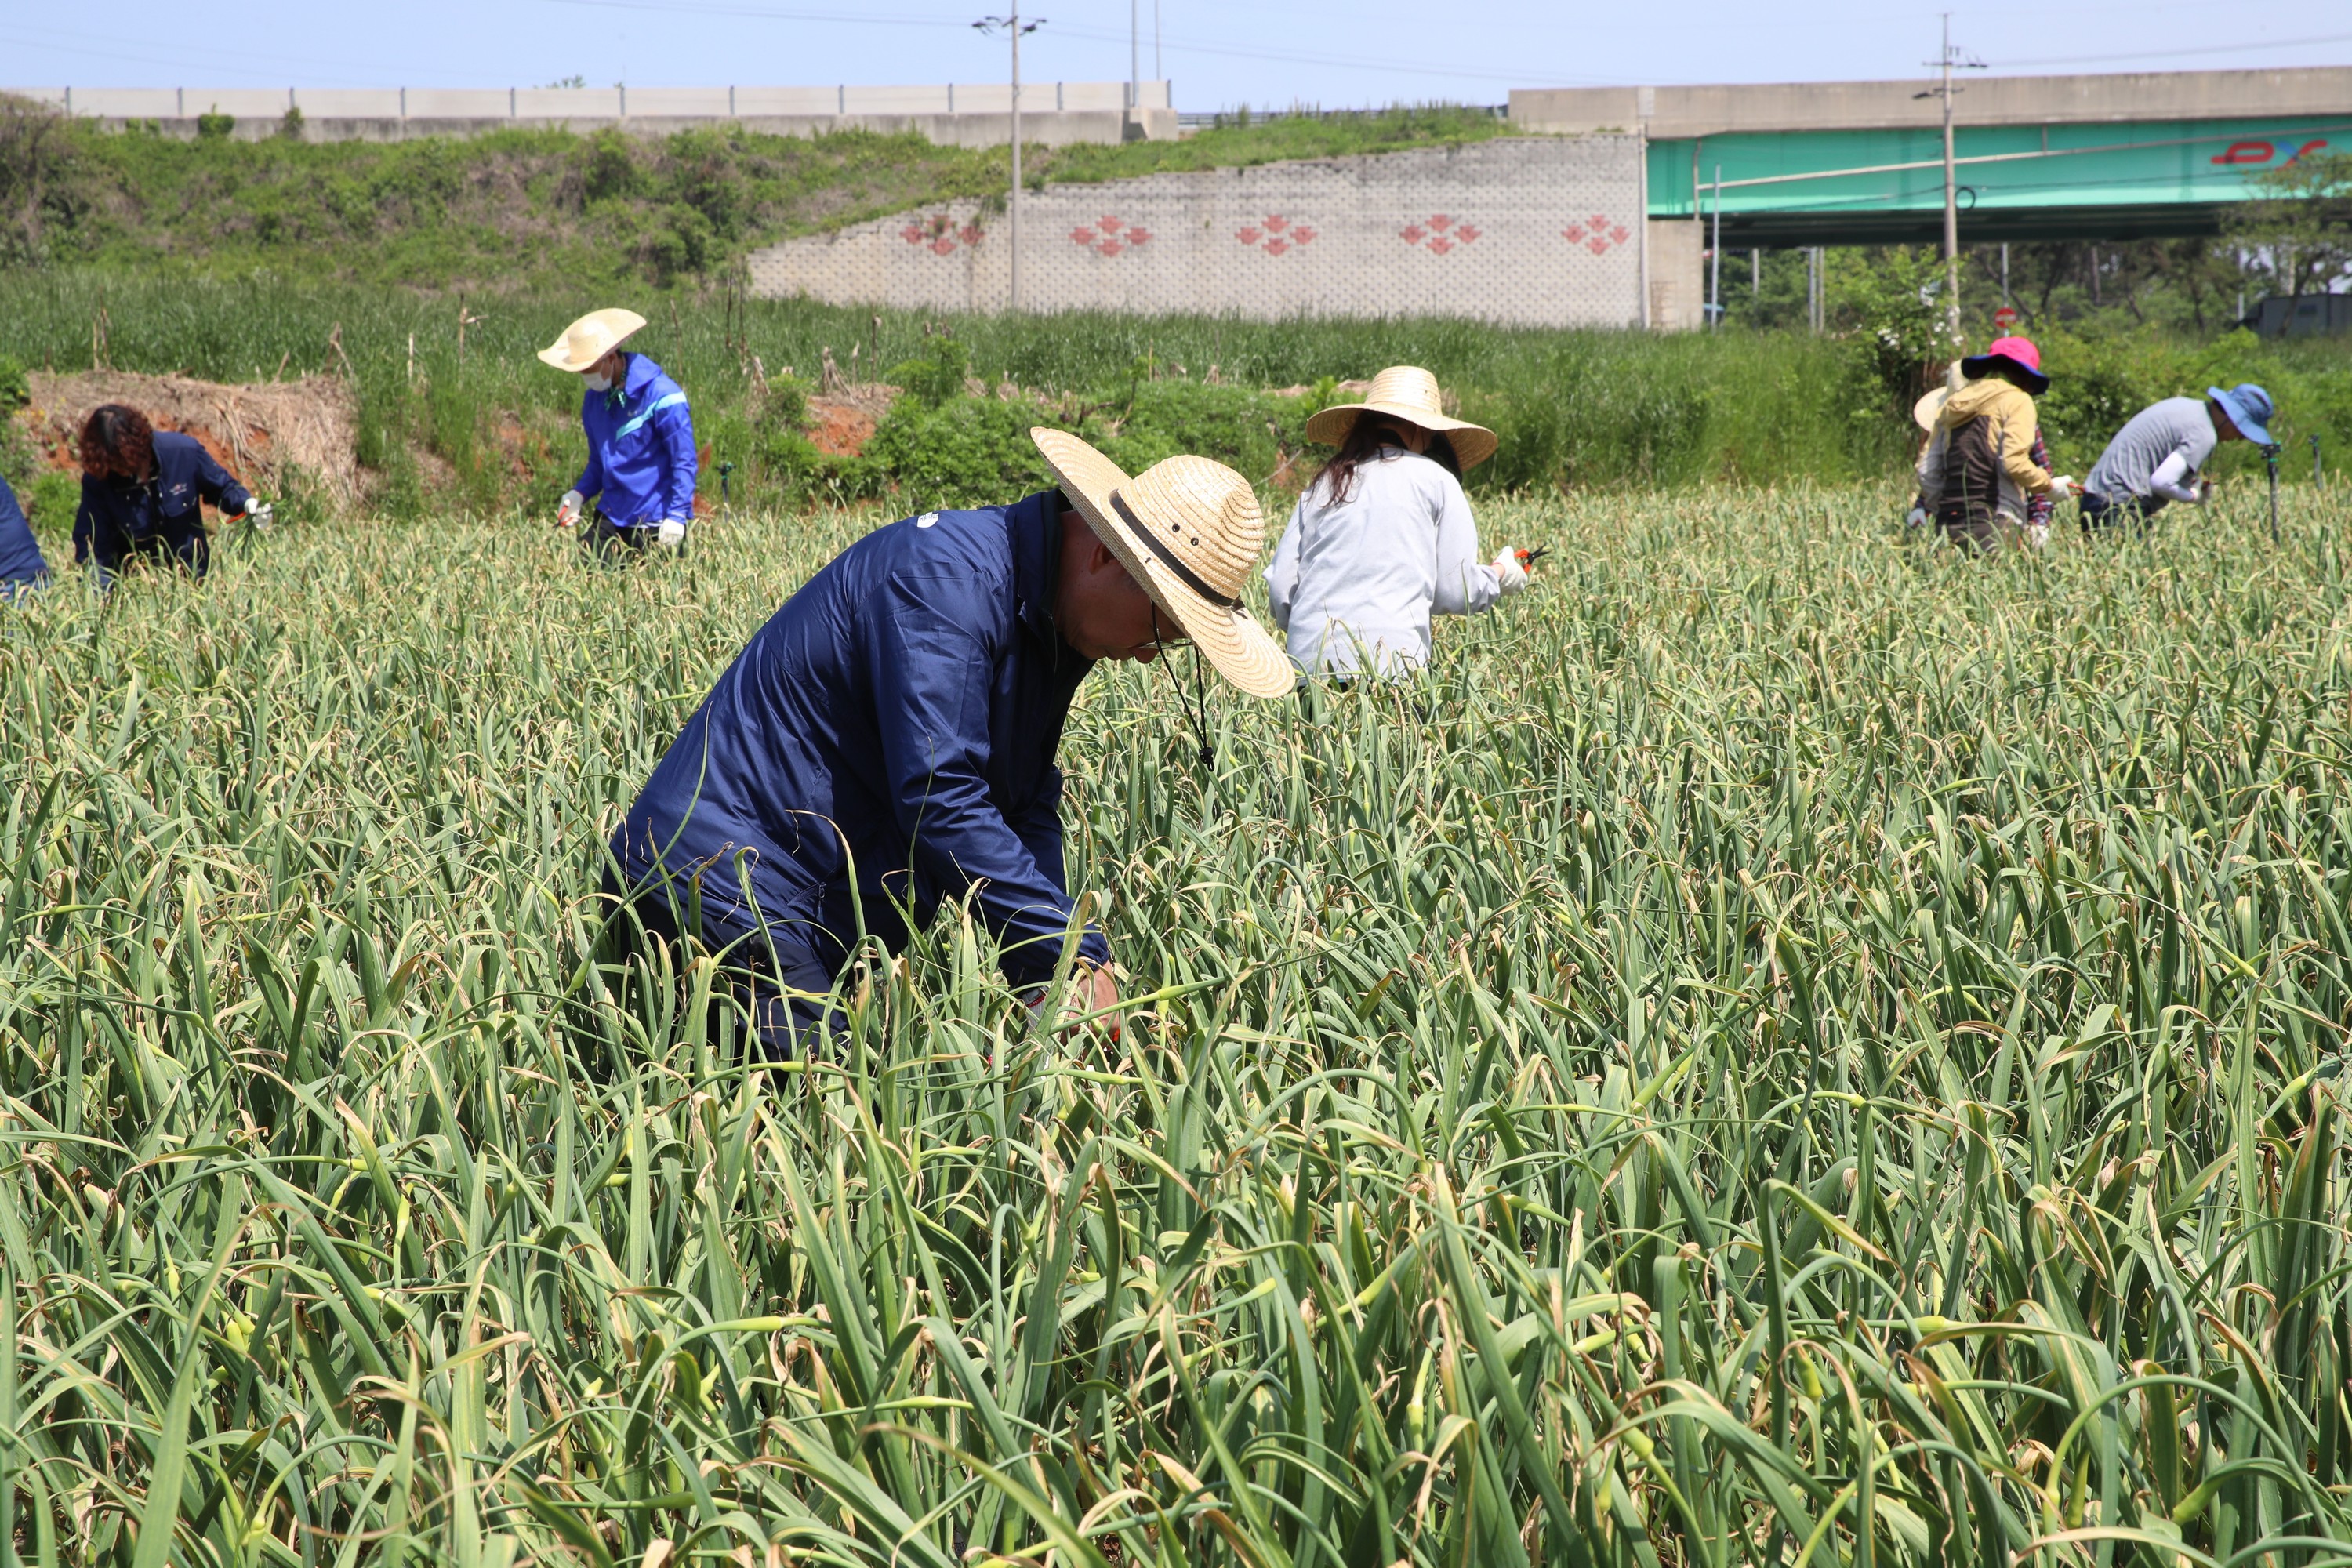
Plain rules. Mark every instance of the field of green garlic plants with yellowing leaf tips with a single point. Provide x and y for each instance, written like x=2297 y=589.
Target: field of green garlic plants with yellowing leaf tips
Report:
x=1791 y=1047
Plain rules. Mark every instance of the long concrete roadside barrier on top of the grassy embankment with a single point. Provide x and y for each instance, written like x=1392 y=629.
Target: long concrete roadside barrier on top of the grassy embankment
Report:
x=956 y=114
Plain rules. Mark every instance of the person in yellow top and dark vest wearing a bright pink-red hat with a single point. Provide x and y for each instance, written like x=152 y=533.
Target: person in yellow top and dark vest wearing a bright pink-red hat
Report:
x=1979 y=478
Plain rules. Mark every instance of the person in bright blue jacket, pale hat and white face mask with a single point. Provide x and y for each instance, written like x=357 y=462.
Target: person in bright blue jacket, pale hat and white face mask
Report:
x=641 y=441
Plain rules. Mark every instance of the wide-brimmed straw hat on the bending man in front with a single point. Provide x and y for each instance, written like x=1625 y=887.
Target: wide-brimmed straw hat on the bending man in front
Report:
x=1189 y=530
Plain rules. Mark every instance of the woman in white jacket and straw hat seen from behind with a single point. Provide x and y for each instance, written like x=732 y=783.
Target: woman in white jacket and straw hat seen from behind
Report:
x=1384 y=535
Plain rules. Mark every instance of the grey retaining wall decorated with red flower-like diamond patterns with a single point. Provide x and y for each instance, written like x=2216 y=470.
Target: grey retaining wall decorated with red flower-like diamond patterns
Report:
x=1539 y=232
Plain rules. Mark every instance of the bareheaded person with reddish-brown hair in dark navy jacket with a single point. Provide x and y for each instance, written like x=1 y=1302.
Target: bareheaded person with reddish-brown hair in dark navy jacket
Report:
x=142 y=495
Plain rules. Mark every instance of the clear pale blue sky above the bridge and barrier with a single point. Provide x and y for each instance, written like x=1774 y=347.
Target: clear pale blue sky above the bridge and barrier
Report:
x=1220 y=53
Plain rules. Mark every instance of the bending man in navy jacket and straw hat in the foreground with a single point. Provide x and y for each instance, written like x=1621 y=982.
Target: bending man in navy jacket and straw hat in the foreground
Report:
x=888 y=739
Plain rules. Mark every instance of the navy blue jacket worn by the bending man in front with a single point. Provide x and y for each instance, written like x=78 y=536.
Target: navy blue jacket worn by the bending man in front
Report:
x=890 y=732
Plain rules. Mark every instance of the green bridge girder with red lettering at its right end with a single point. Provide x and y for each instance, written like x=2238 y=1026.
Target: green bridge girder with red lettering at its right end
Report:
x=2017 y=182
